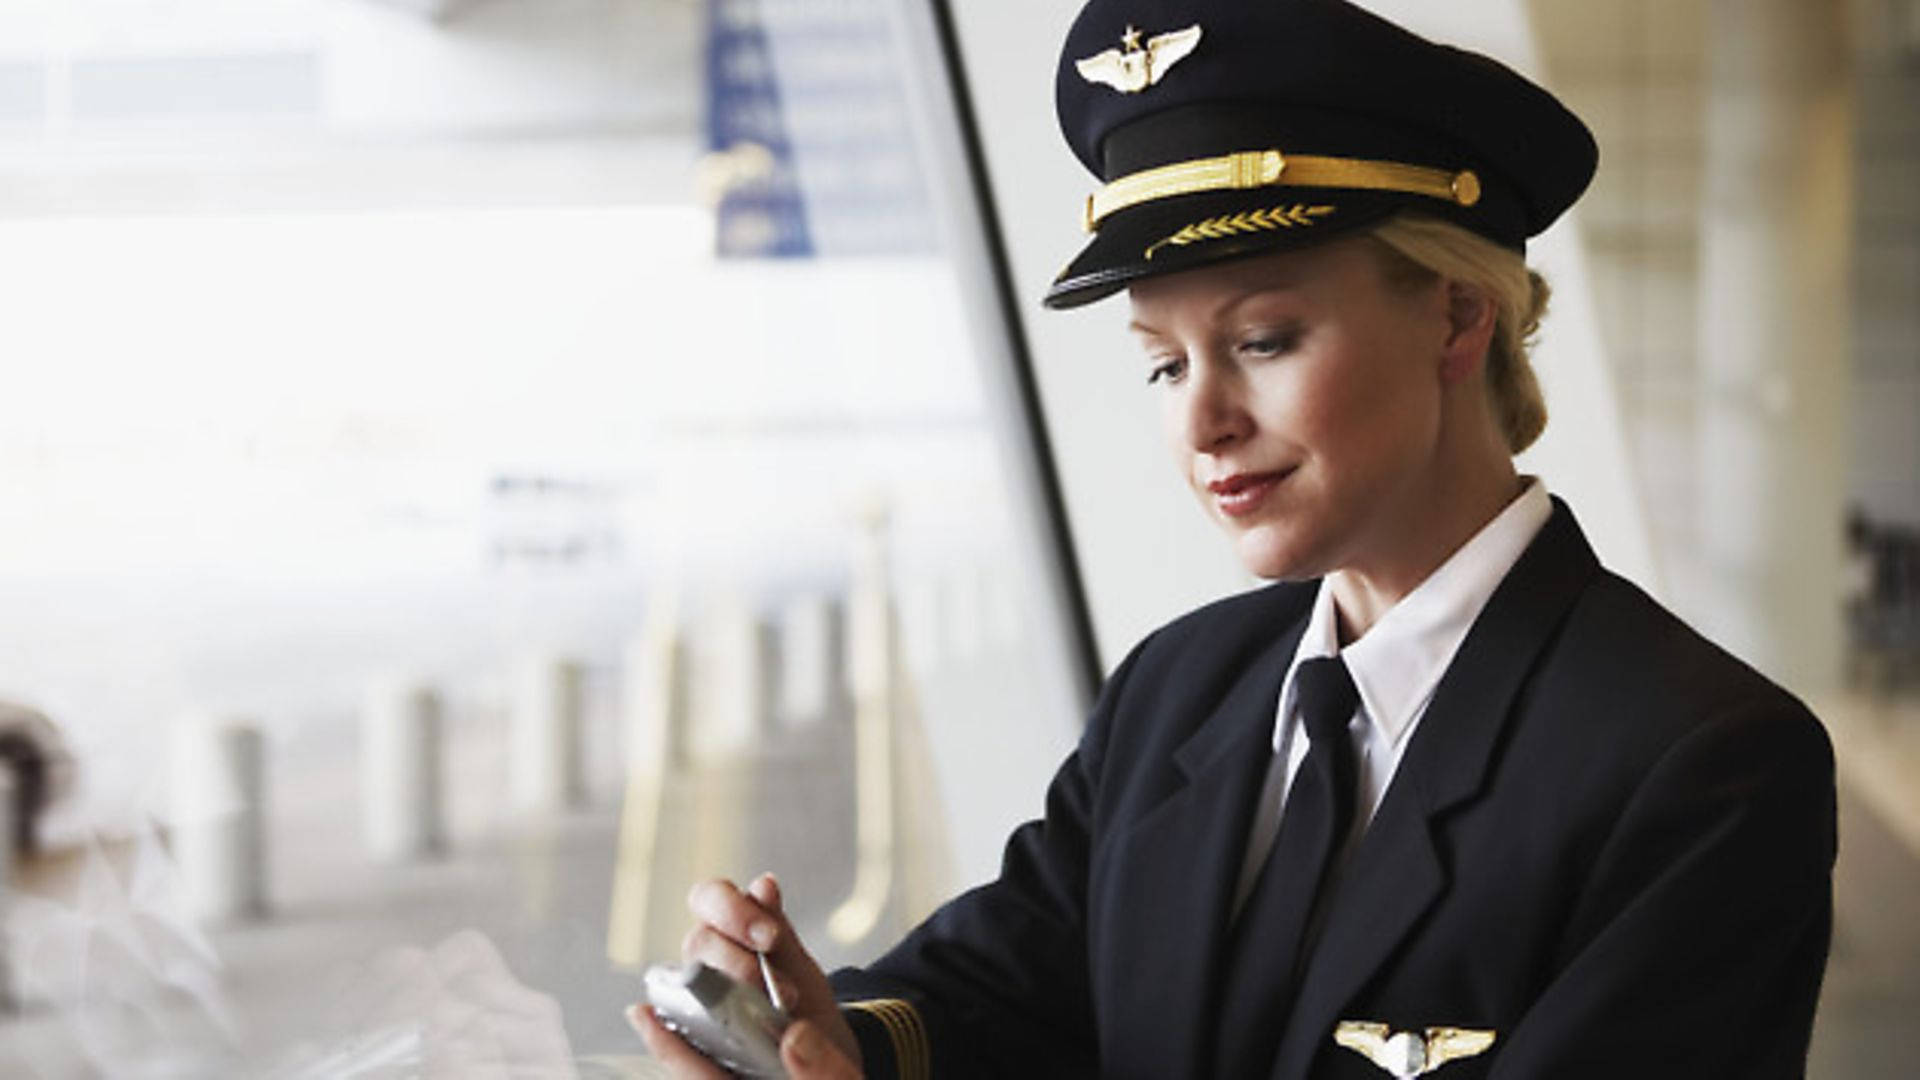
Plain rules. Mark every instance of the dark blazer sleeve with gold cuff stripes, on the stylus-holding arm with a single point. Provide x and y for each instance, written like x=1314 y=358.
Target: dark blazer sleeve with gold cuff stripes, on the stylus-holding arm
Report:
x=996 y=983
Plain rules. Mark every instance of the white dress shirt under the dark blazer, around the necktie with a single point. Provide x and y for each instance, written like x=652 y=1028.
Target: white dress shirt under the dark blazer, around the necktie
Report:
x=1397 y=668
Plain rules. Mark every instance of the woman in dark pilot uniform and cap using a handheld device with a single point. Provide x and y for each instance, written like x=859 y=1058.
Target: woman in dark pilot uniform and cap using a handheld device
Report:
x=1447 y=798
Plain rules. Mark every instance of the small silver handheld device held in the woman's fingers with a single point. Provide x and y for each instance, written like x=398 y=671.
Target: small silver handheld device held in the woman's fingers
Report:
x=731 y=1023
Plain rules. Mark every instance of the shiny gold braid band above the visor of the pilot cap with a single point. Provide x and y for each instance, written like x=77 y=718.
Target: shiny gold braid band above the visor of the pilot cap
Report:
x=1270 y=168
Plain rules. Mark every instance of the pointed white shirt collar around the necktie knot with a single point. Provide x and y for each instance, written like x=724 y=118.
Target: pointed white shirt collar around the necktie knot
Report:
x=1399 y=664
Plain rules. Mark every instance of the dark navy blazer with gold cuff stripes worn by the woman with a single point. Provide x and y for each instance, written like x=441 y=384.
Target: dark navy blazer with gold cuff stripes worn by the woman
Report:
x=1610 y=843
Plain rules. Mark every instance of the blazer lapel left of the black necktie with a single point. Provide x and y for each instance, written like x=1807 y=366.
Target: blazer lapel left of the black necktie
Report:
x=1166 y=904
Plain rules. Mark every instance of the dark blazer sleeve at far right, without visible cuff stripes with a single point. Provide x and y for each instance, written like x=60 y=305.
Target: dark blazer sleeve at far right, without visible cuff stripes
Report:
x=1702 y=935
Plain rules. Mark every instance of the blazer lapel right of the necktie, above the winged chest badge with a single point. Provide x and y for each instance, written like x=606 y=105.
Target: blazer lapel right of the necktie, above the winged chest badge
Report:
x=1397 y=871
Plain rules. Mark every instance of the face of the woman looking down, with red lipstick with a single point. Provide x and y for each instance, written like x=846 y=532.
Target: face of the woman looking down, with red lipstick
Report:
x=1303 y=399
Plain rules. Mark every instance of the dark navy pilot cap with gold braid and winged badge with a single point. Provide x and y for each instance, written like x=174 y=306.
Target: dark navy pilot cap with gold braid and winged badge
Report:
x=1232 y=128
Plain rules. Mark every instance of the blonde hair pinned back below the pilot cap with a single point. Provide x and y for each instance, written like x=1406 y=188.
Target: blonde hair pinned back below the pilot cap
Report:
x=1429 y=249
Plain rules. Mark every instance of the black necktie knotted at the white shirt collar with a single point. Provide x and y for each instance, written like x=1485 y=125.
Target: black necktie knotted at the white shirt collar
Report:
x=1268 y=945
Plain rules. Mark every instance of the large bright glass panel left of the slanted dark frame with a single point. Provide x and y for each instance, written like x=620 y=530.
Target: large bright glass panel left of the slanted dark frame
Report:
x=469 y=472
